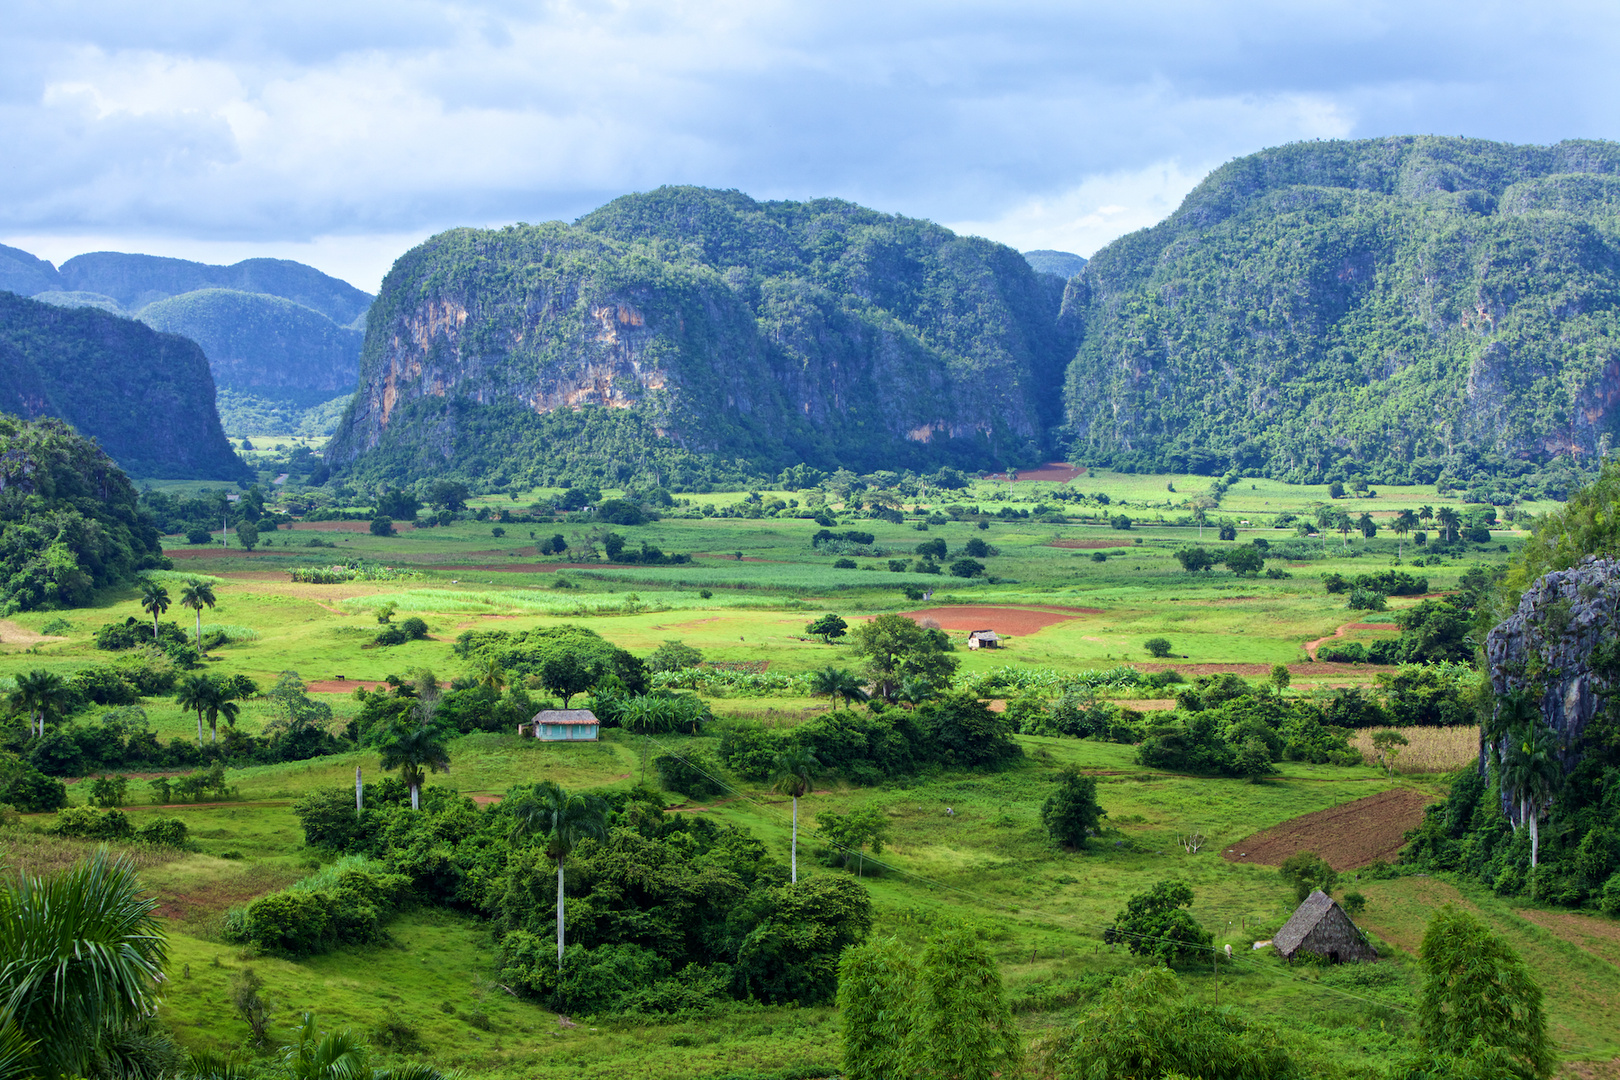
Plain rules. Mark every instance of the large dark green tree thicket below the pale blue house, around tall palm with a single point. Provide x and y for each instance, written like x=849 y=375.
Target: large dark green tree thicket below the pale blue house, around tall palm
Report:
x=603 y=903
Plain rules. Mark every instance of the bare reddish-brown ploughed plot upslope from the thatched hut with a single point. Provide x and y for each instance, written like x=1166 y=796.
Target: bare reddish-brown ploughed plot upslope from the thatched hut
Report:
x=1347 y=836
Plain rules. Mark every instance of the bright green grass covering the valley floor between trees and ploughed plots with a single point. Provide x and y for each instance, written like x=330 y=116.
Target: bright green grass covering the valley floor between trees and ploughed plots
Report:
x=987 y=862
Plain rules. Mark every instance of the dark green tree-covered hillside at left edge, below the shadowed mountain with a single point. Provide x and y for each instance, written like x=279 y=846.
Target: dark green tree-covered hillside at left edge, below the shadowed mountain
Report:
x=69 y=519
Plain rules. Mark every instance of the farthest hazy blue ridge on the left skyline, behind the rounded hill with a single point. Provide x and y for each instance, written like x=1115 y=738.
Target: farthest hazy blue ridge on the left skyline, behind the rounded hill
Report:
x=137 y=281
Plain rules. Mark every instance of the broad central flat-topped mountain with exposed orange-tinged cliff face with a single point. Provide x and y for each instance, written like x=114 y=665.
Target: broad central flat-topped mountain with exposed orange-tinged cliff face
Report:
x=681 y=328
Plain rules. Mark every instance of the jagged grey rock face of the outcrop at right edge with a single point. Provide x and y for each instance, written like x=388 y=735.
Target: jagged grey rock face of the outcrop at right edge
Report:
x=1550 y=644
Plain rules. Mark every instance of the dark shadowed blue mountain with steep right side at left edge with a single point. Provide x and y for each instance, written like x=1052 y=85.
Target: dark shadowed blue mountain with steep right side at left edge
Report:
x=145 y=396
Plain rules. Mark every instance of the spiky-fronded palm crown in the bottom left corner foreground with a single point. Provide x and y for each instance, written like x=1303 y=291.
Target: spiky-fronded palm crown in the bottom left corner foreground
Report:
x=83 y=964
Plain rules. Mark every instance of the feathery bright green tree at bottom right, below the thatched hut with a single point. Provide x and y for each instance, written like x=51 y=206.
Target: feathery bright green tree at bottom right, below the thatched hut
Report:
x=1478 y=1001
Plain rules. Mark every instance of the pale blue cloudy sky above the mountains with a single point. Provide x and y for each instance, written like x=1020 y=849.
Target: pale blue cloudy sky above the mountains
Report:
x=343 y=132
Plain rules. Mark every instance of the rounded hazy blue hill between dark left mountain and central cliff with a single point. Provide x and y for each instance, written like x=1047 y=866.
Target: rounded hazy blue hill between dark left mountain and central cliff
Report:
x=263 y=346
